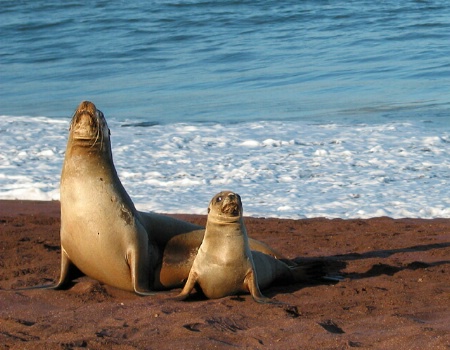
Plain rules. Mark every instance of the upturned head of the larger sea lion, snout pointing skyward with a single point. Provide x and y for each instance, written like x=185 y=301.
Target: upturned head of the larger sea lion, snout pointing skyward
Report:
x=88 y=126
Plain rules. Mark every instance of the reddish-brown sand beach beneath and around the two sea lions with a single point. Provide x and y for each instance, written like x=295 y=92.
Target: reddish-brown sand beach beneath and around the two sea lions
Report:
x=396 y=292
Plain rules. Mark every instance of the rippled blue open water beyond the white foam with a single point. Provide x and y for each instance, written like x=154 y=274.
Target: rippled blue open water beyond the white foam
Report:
x=231 y=61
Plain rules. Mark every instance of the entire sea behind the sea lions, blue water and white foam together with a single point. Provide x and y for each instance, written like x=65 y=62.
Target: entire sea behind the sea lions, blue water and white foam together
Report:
x=311 y=108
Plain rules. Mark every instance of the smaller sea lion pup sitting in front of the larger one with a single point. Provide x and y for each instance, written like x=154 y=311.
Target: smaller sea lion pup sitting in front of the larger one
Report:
x=225 y=265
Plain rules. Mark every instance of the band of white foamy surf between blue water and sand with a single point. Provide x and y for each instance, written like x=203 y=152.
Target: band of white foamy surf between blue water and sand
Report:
x=281 y=169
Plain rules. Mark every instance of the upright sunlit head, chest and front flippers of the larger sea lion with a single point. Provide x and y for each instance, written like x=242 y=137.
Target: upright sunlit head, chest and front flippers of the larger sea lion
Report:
x=101 y=231
